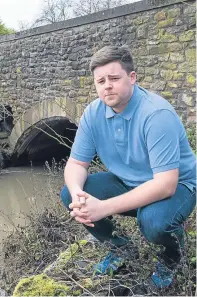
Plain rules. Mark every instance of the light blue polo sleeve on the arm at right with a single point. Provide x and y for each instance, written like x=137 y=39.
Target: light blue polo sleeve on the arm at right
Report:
x=162 y=139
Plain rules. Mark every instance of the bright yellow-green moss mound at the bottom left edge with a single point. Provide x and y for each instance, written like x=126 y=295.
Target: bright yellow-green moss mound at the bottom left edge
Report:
x=40 y=285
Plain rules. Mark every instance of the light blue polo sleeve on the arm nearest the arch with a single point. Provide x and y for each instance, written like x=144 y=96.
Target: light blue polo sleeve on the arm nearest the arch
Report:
x=83 y=148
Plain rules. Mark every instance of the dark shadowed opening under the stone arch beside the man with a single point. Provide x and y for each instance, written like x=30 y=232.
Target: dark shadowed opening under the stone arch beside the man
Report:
x=47 y=139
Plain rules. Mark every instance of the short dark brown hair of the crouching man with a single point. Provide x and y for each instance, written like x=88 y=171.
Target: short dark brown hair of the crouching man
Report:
x=109 y=54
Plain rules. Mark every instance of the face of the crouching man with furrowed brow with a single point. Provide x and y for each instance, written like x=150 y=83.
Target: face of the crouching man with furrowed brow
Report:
x=114 y=86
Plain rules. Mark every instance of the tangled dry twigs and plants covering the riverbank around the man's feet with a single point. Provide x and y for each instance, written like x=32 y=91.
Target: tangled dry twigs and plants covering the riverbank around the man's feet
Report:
x=30 y=249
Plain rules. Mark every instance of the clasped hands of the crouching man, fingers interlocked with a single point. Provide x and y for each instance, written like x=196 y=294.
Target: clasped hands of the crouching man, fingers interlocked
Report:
x=87 y=209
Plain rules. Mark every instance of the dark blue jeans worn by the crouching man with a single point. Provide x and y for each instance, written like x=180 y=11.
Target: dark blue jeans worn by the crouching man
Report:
x=160 y=222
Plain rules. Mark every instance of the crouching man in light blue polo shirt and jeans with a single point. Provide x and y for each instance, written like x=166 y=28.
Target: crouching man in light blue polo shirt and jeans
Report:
x=151 y=167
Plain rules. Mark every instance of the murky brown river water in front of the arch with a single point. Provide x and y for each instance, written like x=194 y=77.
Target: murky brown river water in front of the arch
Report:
x=21 y=190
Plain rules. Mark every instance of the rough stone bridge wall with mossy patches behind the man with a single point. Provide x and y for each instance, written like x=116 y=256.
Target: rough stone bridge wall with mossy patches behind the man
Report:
x=52 y=62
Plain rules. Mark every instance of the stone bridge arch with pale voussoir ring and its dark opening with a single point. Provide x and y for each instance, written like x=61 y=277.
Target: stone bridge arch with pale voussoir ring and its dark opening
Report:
x=46 y=128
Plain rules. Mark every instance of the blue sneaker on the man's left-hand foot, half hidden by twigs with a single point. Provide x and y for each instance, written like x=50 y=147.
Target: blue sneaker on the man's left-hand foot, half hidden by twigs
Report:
x=109 y=265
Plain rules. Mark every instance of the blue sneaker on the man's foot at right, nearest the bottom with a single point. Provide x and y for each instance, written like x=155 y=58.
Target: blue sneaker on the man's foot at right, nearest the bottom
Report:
x=162 y=277
